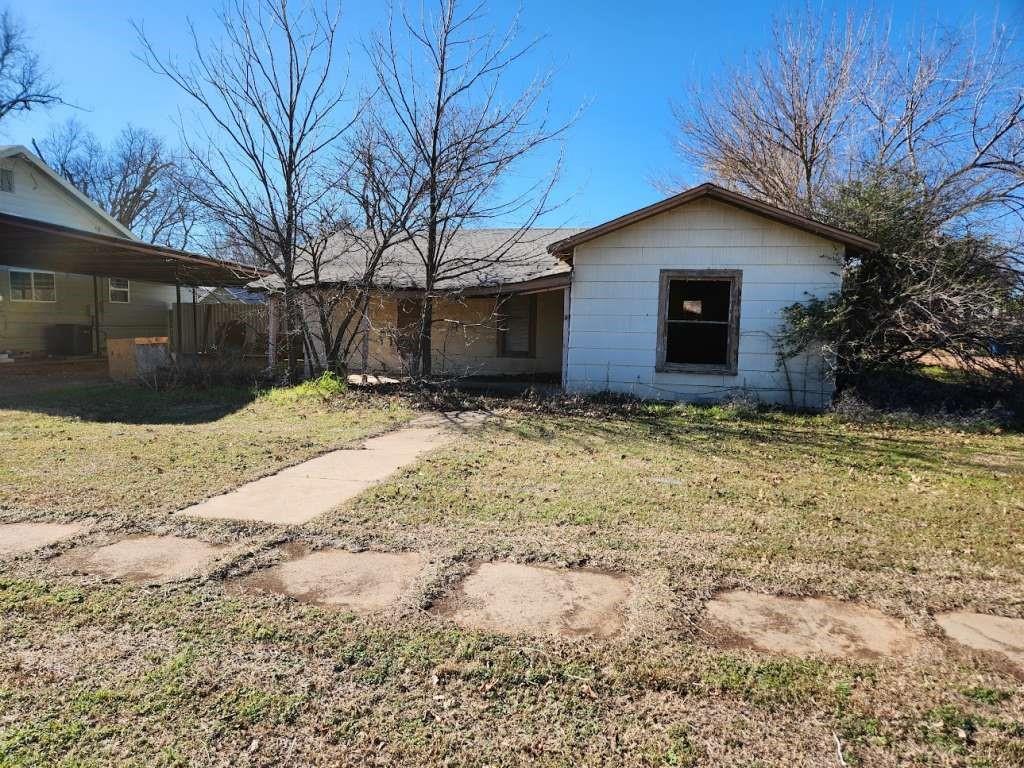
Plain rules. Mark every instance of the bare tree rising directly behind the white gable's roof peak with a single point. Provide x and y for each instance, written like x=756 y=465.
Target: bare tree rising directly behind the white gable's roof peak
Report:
x=779 y=127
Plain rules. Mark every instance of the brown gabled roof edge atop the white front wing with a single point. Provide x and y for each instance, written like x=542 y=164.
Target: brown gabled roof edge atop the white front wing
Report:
x=564 y=248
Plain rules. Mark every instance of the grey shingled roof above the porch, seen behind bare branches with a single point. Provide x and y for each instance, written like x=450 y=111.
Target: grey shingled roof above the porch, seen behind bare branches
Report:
x=477 y=262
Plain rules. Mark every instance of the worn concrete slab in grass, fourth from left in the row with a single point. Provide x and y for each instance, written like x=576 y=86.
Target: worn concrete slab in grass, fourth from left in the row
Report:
x=528 y=600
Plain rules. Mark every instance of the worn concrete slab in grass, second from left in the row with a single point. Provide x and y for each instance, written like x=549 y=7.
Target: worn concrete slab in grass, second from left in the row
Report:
x=151 y=560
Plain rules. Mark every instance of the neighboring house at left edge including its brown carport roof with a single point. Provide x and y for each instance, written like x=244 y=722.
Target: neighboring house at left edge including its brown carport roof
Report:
x=72 y=277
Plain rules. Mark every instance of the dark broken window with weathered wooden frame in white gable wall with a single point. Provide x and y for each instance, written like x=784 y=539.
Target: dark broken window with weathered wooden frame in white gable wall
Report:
x=699 y=321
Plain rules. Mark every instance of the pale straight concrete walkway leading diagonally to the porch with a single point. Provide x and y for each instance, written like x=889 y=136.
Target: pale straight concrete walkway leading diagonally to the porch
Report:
x=300 y=494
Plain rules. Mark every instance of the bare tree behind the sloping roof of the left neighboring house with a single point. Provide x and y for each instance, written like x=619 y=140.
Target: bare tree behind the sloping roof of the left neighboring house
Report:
x=138 y=181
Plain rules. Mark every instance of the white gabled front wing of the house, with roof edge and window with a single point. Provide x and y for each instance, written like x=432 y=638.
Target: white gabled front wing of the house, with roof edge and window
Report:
x=685 y=300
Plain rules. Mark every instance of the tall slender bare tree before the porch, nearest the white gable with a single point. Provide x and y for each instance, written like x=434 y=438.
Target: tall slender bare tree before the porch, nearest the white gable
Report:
x=446 y=83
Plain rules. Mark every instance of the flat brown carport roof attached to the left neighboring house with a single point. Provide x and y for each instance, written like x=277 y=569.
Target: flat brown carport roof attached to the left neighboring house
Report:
x=40 y=245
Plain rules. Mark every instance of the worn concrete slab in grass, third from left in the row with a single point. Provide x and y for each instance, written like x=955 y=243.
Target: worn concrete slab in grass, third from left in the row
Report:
x=363 y=582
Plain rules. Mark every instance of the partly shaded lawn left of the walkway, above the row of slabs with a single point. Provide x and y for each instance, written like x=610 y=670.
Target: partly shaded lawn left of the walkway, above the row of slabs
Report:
x=106 y=447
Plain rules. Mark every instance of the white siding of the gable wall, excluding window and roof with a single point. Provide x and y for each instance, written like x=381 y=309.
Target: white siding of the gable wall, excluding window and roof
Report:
x=614 y=313
